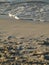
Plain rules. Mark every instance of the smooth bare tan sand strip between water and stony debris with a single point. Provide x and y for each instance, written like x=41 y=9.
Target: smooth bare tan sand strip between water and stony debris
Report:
x=23 y=28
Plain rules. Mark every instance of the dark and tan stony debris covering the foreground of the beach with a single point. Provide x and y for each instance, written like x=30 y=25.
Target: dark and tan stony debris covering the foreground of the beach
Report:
x=31 y=51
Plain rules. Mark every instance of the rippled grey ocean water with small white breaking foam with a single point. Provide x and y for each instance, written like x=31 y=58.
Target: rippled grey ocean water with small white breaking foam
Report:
x=28 y=10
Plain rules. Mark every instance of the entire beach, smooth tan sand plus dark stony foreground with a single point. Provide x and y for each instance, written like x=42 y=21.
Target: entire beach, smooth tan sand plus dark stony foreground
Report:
x=23 y=43
